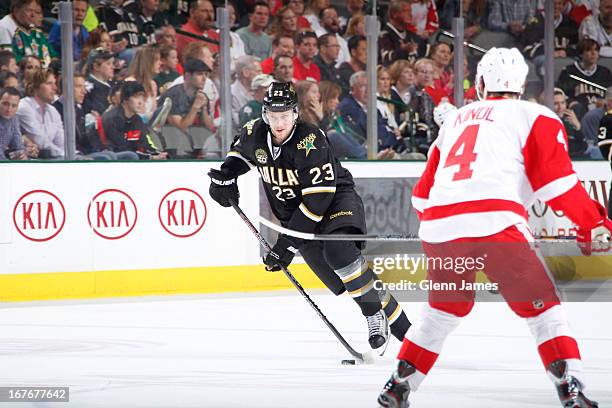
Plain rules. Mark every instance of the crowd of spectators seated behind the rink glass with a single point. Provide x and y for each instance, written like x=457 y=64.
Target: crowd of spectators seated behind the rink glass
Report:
x=132 y=56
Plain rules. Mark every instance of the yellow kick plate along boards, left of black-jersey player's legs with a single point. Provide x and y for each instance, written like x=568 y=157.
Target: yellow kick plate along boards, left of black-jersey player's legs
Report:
x=170 y=281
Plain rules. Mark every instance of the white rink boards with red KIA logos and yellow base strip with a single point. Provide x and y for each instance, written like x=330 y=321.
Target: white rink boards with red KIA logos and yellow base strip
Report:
x=80 y=230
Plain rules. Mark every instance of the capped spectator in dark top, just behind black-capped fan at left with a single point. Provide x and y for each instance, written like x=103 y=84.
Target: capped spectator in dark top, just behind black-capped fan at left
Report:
x=100 y=72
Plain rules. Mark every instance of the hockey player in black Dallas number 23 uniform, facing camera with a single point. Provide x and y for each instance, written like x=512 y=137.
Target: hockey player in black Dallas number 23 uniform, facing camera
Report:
x=309 y=191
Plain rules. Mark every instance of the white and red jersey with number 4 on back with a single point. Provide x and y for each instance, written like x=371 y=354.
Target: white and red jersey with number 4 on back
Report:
x=491 y=161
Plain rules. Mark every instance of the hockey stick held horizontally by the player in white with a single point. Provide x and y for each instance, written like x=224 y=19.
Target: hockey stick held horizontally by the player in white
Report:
x=378 y=237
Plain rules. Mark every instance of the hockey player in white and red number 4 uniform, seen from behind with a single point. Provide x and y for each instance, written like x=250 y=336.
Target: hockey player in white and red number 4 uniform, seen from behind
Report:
x=491 y=161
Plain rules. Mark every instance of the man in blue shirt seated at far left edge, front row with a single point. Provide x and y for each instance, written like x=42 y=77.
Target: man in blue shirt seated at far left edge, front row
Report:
x=11 y=146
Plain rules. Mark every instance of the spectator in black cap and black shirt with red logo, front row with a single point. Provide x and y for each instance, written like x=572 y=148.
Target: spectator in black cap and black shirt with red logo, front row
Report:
x=123 y=129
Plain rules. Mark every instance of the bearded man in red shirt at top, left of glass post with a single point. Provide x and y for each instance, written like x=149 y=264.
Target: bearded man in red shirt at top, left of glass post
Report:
x=201 y=20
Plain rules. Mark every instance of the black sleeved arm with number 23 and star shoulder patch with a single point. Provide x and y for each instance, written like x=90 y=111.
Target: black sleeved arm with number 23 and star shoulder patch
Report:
x=317 y=173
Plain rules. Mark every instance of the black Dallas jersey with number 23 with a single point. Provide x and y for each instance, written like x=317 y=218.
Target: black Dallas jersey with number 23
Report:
x=303 y=180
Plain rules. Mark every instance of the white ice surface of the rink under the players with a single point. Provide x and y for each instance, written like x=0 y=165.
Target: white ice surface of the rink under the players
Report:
x=271 y=350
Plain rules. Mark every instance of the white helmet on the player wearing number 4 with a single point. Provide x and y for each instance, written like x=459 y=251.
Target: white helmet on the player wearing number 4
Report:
x=501 y=70
